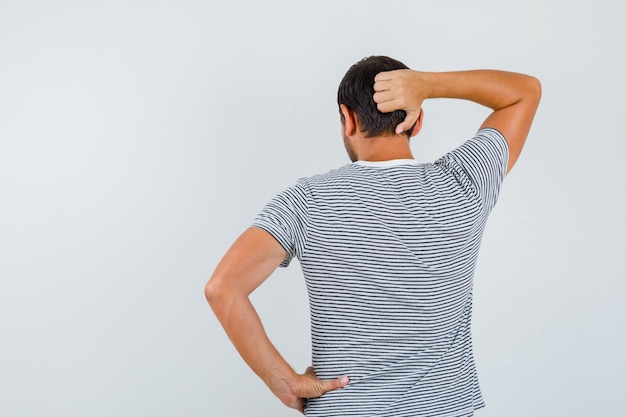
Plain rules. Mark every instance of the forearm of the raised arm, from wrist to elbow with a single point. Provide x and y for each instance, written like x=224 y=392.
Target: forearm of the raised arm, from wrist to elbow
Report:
x=491 y=88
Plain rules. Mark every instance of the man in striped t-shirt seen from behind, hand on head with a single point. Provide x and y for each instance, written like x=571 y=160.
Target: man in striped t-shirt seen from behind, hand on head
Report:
x=387 y=247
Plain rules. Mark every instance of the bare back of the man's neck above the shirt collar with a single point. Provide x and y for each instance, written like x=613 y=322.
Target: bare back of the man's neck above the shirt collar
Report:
x=383 y=148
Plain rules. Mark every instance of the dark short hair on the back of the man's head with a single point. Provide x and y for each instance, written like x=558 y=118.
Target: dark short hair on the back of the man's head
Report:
x=356 y=91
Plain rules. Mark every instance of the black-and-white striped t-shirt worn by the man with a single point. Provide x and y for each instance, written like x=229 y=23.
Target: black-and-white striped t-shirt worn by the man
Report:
x=388 y=252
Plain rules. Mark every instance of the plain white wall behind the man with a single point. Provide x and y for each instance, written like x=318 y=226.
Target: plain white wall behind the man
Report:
x=139 y=138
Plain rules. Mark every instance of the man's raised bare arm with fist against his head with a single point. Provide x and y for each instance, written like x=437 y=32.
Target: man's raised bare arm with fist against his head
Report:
x=513 y=98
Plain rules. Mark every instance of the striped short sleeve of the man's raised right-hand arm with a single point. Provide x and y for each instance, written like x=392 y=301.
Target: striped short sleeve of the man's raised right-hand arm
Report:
x=481 y=162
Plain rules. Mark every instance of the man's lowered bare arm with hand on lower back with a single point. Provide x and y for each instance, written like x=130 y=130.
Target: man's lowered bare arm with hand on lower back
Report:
x=250 y=261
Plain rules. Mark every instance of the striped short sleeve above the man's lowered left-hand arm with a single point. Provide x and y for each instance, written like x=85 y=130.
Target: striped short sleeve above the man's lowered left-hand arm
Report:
x=285 y=218
